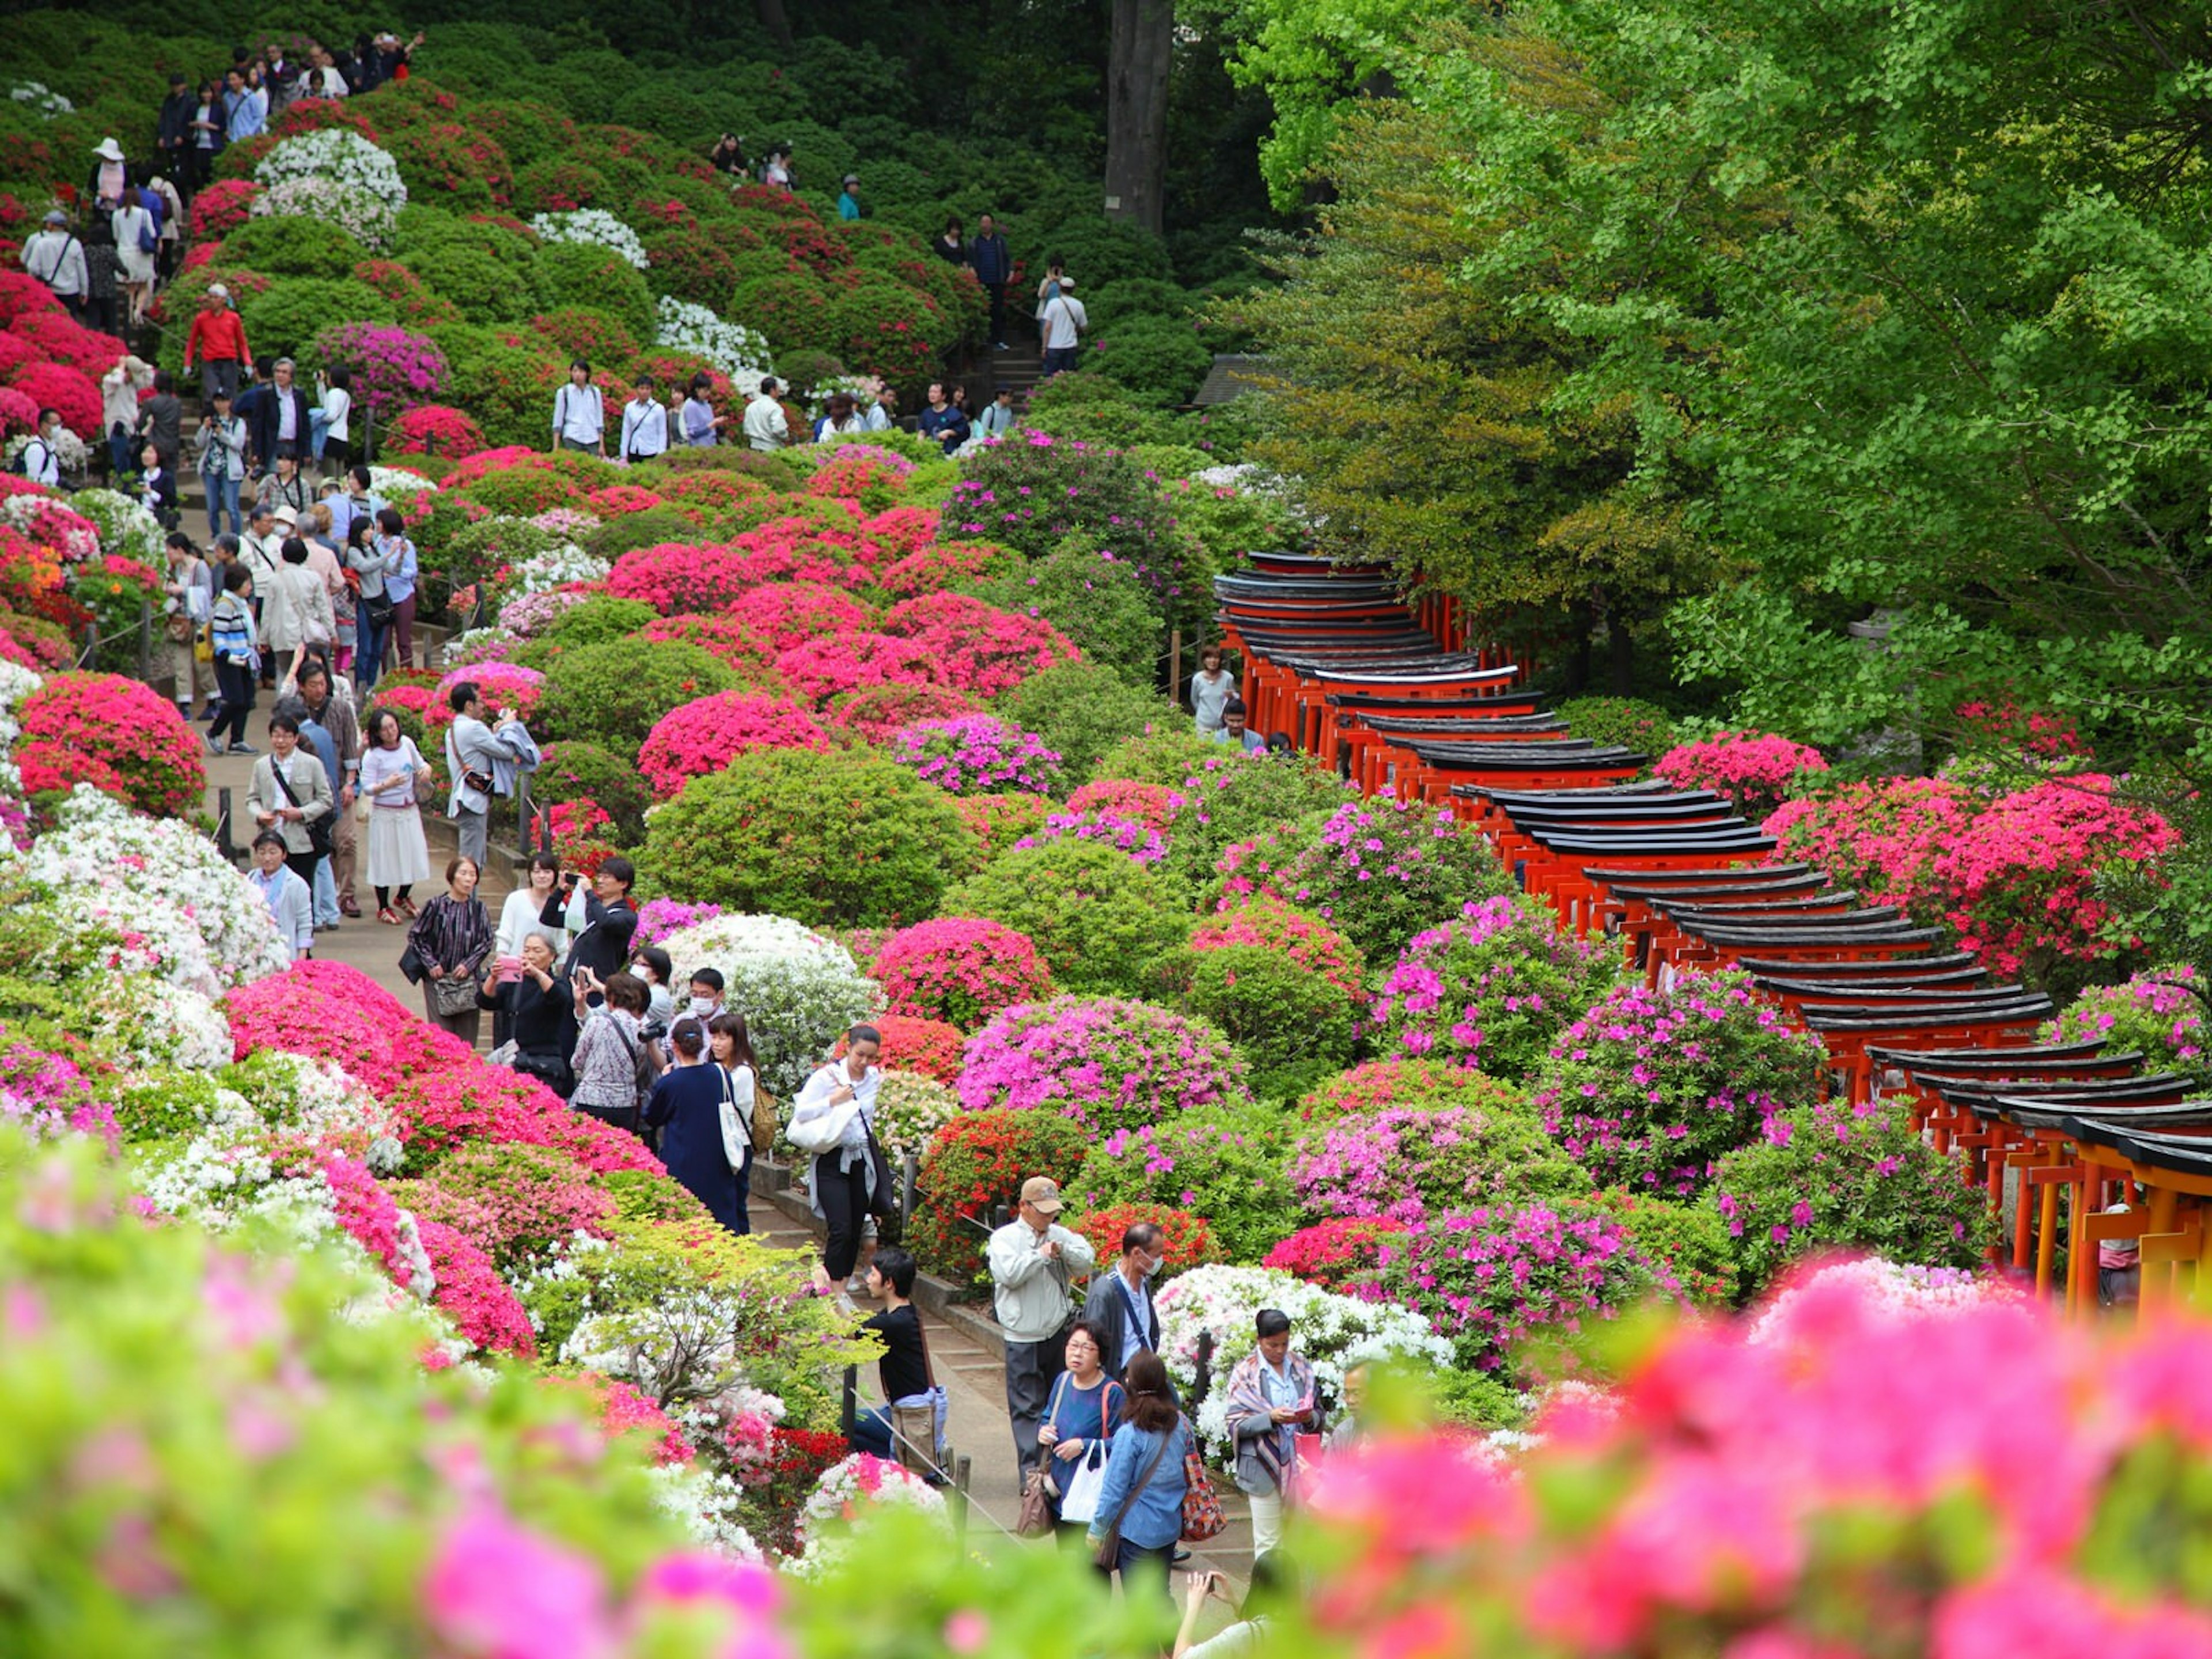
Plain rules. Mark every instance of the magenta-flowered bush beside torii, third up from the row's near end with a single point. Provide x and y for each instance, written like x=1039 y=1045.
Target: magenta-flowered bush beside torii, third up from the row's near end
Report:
x=1494 y=988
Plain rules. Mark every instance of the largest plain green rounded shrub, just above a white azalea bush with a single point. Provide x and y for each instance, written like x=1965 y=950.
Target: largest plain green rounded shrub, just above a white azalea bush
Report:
x=837 y=839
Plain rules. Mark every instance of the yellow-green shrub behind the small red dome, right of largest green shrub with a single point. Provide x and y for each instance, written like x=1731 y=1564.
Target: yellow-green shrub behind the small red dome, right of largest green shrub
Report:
x=1096 y=917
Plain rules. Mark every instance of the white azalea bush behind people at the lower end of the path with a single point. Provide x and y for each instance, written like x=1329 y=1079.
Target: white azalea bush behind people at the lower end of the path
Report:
x=1333 y=1333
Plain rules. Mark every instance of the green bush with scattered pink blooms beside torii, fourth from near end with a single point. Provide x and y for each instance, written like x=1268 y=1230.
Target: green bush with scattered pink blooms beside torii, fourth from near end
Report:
x=1375 y=870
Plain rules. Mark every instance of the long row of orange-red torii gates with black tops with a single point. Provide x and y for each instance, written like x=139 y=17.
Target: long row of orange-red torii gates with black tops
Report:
x=1404 y=705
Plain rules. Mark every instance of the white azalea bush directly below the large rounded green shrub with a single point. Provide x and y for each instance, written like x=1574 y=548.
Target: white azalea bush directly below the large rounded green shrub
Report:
x=797 y=988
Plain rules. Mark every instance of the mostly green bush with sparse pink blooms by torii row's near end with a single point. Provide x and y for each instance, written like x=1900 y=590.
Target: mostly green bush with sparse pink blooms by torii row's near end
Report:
x=1833 y=1176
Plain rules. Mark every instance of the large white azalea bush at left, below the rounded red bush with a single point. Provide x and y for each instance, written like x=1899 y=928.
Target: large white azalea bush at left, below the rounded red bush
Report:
x=156 y=897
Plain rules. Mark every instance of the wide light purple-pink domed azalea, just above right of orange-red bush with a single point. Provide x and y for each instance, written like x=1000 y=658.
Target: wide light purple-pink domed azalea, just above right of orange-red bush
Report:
x=1107 y=1063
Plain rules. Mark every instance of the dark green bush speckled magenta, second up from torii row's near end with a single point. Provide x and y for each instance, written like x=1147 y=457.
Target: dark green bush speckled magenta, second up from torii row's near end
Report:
x=1651 y=1087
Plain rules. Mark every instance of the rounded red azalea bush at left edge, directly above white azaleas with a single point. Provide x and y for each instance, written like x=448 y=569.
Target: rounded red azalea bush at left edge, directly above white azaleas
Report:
x=121 y=735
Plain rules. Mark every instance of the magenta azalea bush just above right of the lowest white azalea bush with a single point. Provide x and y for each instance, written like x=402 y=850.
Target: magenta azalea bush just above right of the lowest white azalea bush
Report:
x=1501 y=1275
